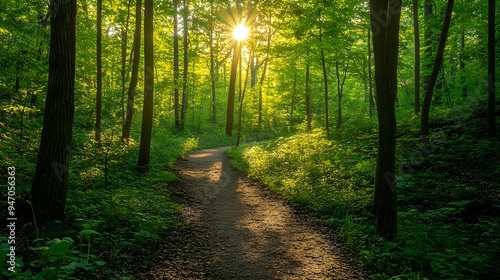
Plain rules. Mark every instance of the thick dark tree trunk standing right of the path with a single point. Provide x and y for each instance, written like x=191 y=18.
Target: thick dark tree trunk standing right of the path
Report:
x=385 y=19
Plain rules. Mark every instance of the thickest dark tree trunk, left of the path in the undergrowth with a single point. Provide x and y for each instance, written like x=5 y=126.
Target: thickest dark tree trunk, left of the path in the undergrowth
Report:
x=50 y=184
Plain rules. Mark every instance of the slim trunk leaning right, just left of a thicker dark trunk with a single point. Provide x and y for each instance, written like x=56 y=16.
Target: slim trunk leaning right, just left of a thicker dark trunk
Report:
x=135 y=71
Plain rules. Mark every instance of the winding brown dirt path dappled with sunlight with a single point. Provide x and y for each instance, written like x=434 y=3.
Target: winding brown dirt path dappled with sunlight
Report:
x=238 y=230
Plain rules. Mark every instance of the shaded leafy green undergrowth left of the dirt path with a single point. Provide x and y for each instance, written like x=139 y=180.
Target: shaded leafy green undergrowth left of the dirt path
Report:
x=115 y=216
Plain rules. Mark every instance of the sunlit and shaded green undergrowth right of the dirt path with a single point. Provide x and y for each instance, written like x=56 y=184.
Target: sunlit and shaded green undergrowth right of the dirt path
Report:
x=448 y=191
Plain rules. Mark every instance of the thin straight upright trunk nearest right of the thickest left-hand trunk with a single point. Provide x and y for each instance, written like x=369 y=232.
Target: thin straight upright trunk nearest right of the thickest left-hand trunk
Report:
x=98 y=116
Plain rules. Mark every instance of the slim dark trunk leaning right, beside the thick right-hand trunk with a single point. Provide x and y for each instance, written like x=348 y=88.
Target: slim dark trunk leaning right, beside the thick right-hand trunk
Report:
x=424 y=119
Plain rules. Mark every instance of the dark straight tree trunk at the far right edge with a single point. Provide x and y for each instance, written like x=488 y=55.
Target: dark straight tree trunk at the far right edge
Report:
x=490 y=112
